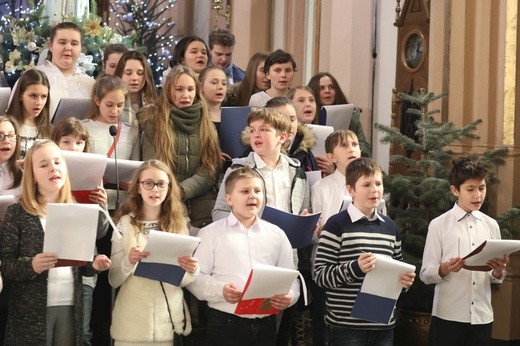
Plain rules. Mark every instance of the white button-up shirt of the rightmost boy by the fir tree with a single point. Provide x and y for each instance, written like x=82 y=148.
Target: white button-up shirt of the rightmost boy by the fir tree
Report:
x=464 y=296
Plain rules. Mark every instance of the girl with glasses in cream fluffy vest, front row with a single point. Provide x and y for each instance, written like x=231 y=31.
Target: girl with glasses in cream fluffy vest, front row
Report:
x=148 y=312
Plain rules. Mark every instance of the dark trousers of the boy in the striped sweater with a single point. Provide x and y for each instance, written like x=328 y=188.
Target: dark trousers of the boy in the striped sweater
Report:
x=359 y=337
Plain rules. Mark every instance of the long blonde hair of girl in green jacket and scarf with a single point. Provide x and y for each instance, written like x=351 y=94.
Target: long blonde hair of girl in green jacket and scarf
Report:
x=165 y=130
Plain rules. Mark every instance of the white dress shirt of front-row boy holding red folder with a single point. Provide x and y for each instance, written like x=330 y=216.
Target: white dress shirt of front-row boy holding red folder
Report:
x=227 y=253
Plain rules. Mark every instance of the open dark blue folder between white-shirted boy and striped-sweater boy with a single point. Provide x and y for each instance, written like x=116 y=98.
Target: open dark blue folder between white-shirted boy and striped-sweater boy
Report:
x=299 y=229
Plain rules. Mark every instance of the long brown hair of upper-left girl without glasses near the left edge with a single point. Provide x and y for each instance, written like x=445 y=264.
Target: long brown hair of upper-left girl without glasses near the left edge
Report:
x=16 y=109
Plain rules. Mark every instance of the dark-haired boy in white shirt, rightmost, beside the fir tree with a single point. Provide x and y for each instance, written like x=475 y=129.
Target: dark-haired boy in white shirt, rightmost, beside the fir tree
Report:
x=462 y=312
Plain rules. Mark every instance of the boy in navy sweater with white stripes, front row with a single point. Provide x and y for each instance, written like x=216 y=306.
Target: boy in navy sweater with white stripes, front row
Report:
x=345 y=254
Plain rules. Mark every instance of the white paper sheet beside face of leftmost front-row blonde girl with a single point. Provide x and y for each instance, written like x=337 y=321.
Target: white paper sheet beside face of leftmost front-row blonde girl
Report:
x=85 y=169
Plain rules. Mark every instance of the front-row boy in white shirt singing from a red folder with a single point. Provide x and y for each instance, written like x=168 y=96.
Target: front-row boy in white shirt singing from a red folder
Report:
x=229 y=248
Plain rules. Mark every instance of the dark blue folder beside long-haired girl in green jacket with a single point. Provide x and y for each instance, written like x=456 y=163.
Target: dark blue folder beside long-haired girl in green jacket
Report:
x=232 y=121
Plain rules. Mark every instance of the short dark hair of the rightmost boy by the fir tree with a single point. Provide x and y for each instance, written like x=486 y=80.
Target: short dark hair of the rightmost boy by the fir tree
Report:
x=465 y=168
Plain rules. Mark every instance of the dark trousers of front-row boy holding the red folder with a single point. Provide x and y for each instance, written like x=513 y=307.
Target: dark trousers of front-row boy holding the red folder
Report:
x=229 y=330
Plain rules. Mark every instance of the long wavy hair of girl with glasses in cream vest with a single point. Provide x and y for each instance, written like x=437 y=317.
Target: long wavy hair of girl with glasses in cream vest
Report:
x=172 y=218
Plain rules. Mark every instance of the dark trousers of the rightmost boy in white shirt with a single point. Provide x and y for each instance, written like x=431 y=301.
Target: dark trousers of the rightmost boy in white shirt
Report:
x=449 y=333
